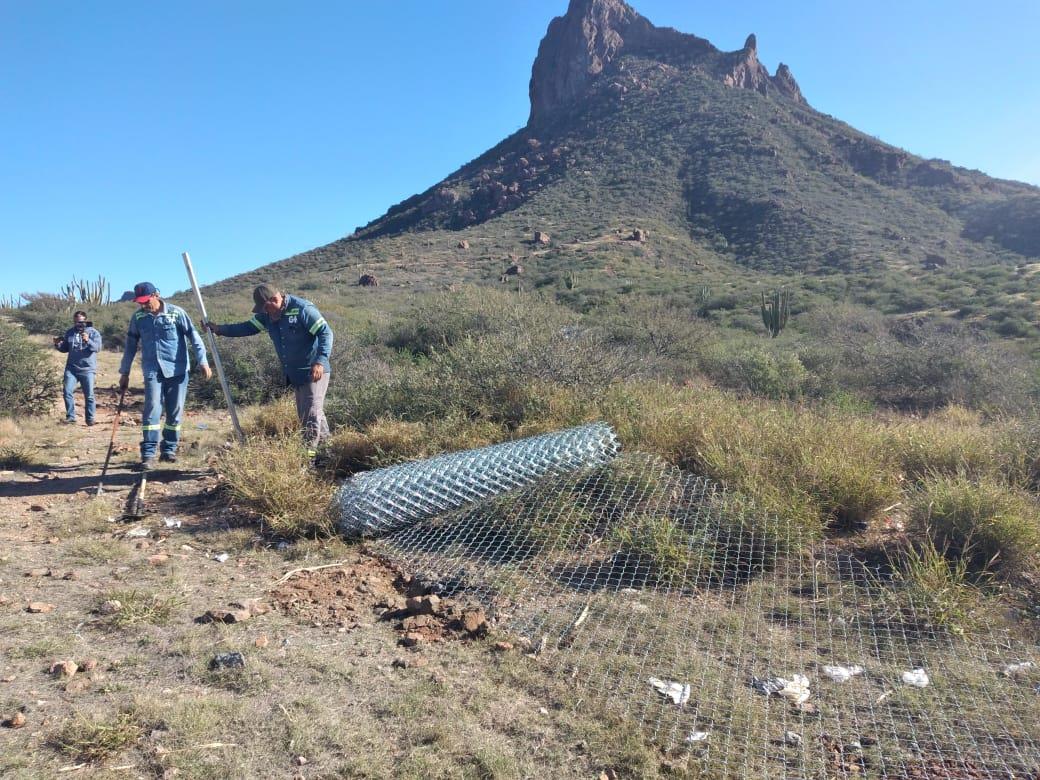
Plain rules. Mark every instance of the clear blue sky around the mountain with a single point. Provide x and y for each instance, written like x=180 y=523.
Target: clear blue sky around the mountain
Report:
x=245 y=133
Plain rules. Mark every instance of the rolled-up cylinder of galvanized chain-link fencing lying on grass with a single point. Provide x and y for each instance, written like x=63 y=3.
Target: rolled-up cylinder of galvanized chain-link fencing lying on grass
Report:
x=379 y=502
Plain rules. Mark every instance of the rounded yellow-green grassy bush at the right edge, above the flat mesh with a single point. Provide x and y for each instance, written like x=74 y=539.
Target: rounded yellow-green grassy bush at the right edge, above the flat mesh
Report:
x=984 y=523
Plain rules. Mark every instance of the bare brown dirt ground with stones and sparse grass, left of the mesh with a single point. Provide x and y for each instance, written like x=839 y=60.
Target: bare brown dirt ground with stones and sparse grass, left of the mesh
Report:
x=186 y=644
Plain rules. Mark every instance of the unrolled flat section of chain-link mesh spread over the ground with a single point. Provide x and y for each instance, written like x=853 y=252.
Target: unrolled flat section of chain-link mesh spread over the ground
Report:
x=762 y=651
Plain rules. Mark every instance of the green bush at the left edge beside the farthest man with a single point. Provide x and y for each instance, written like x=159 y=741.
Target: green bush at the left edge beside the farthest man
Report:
x=29 y=382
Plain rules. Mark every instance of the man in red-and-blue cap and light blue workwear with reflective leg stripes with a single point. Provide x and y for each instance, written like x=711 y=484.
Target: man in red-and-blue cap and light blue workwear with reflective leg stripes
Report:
x=164 y=332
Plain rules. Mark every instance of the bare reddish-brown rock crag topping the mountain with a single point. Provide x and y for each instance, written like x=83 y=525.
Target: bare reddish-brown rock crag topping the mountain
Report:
x=582 y=44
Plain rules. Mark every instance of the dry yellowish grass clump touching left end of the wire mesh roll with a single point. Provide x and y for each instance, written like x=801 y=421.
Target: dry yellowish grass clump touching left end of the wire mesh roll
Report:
x=273 y=477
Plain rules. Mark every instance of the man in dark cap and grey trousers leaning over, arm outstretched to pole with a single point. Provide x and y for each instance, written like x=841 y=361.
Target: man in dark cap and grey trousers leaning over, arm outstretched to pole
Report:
x=303 y=341
